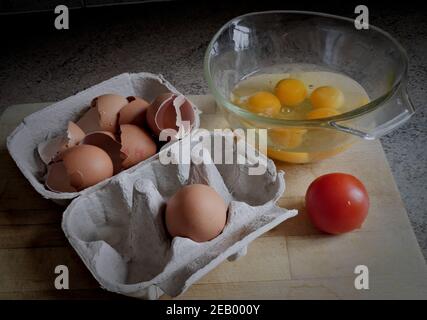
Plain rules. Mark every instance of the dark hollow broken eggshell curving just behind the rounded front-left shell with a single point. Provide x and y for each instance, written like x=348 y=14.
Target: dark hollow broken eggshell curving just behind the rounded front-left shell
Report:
x=107 y=142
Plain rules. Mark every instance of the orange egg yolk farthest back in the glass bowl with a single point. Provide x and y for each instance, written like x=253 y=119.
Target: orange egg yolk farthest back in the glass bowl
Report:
x=291 y=92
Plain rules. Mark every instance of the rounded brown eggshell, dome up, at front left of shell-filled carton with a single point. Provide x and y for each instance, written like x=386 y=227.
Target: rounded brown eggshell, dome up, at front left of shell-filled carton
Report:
x=86 y=165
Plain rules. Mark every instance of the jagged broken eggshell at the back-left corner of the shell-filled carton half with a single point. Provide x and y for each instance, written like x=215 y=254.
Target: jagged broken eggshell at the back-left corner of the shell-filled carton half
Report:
x=49 y=150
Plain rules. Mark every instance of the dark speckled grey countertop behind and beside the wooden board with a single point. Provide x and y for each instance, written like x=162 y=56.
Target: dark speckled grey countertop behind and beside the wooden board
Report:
x=39 y=63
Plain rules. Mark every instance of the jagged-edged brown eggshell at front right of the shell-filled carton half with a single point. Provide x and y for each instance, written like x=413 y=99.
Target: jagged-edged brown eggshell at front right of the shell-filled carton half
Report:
x=137 y=145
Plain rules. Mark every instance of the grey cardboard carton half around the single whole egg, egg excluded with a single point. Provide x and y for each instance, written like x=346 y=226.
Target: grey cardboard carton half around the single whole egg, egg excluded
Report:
x=120 y=234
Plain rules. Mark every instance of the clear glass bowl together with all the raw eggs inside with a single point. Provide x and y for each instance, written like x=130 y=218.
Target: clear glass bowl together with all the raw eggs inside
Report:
x=314 y=81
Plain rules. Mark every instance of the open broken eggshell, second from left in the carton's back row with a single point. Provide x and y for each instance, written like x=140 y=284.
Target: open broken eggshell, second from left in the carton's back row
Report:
x=103 y=113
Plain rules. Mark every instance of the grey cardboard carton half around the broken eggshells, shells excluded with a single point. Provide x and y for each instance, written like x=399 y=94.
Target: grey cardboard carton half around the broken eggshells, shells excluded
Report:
x=52 y=121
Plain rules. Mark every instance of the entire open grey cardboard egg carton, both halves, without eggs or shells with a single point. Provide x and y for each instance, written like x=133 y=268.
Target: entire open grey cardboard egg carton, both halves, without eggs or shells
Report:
x=117 y=225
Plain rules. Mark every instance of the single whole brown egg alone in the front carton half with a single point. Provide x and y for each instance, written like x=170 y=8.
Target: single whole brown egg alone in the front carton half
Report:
x=197 y=212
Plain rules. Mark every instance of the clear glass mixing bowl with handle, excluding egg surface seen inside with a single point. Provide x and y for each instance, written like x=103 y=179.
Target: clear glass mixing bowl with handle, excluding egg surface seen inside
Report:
x=270 y=42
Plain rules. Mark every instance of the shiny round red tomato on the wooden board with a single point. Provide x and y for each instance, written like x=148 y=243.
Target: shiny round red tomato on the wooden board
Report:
x=337 y=203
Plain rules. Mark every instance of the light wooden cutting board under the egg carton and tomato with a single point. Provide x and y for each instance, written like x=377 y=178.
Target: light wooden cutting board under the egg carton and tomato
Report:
x=292 y=261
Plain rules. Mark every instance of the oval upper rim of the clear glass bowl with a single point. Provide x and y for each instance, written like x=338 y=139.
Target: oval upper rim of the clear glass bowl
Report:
x=398 y=83
